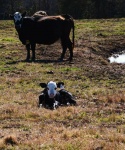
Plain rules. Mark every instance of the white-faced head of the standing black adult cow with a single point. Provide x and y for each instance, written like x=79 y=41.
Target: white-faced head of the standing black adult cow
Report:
x=18 y=18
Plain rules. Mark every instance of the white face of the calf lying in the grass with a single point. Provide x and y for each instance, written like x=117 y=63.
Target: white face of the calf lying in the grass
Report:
x=51 y=87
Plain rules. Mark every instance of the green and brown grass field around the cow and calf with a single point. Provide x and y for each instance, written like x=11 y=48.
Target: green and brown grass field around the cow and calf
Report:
x=96 y=123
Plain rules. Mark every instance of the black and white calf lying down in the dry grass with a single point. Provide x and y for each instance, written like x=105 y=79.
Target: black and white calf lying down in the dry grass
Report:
x=52 y=98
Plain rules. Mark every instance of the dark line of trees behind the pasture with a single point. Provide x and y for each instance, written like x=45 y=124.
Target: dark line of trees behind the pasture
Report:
x=79 y=9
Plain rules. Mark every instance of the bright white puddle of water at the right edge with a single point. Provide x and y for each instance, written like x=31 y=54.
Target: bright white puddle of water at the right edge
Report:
x=117 y=58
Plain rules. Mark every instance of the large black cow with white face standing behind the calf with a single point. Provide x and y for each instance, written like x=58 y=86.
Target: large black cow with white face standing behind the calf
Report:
x=45 y=30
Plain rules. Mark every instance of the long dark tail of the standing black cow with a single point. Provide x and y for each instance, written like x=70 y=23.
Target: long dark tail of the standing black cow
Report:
x=71 y=20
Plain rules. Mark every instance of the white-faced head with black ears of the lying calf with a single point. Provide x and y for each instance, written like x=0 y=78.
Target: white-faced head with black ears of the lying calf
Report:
x=51 y=87
